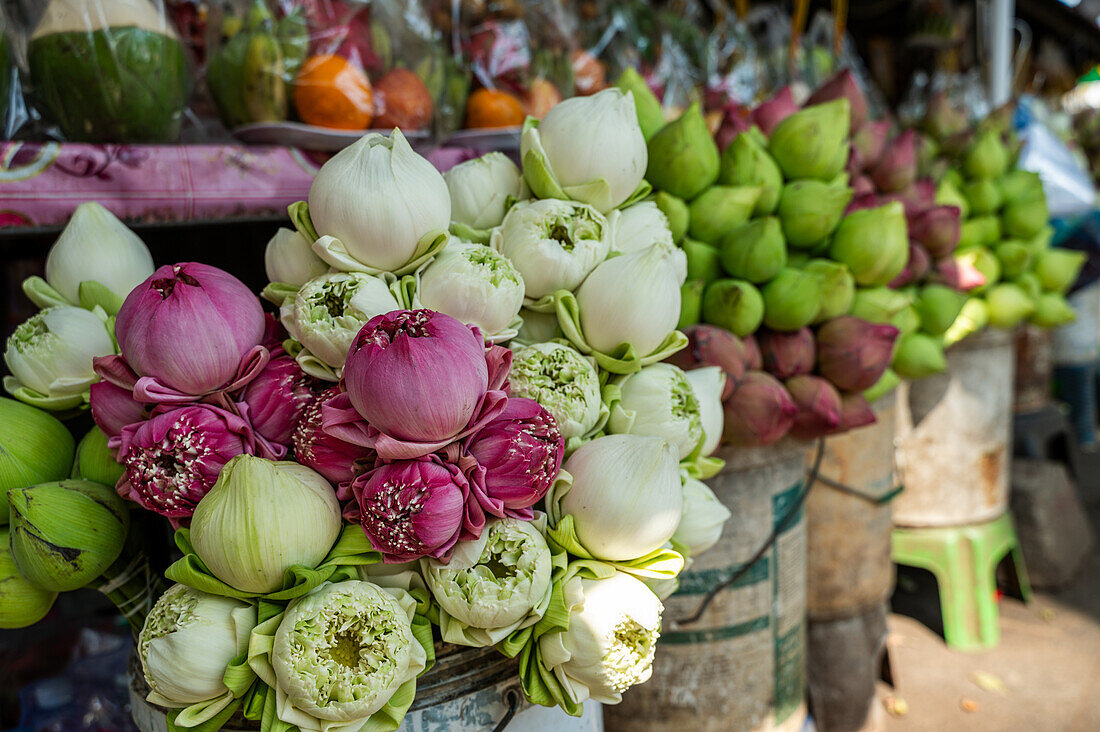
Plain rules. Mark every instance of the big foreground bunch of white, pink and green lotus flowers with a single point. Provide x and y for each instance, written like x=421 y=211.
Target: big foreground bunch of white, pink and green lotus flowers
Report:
x=458 y=430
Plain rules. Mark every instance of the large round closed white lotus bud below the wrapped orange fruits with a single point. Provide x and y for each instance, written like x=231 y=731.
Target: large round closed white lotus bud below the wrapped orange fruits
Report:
x=373 y=204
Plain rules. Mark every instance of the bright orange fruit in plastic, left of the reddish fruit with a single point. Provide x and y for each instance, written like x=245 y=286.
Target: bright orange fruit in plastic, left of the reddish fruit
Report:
x=333 y=92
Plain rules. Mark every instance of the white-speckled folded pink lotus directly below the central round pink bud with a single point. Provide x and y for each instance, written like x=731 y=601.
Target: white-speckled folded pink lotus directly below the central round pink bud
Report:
x=411 y=509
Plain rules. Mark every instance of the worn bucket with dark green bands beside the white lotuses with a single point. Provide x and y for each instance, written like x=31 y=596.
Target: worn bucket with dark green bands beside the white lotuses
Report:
x=735 y=662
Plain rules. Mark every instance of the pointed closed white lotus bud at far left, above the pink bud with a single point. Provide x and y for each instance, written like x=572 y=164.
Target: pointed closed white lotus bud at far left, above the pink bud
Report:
x=97 y=247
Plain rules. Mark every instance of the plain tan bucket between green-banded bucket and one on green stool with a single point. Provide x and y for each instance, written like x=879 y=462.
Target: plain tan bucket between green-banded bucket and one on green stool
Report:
x=849 y=522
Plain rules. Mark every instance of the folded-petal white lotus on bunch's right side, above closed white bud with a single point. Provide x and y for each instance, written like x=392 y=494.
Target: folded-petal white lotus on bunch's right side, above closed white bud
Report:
x=661 y=402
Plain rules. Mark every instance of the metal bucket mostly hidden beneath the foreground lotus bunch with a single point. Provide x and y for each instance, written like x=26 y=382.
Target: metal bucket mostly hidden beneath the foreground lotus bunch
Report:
x=467 y=691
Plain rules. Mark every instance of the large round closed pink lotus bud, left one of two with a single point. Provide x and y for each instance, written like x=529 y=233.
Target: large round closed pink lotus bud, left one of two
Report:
x=191 y=327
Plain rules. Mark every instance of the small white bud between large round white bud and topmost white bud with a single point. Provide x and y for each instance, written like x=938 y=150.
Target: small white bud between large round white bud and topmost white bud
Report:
x=480 y=190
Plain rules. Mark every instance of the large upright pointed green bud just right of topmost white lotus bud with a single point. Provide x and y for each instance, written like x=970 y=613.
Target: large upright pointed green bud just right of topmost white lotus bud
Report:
x=684 y=159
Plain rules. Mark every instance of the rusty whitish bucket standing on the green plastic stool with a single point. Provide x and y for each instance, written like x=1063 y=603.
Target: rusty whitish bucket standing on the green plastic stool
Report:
x=954 y=432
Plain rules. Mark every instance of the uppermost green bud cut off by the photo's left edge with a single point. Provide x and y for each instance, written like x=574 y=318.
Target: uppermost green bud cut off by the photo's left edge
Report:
x=35 y=449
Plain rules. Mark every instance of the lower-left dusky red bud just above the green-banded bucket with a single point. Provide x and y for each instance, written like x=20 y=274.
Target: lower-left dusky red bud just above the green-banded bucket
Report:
x=760 y=412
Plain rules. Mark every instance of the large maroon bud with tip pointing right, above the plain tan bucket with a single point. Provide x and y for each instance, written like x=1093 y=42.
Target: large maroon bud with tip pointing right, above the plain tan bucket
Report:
x=853 y=354
